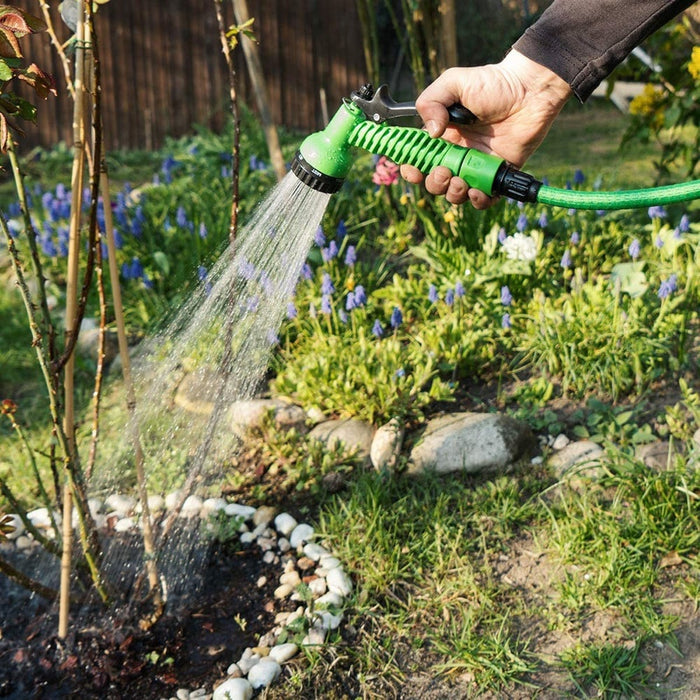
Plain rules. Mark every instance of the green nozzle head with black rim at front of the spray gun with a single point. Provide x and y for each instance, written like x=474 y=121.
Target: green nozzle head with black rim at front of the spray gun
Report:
x=323 y=159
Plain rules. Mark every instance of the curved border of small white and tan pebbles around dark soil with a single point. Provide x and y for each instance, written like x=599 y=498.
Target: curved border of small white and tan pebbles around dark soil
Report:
x=280 y=539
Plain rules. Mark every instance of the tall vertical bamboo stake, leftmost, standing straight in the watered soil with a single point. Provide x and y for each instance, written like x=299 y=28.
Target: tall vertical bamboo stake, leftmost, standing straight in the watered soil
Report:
x=71 y=314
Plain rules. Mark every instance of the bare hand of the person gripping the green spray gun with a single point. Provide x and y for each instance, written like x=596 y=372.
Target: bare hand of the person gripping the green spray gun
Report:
x=515 y=102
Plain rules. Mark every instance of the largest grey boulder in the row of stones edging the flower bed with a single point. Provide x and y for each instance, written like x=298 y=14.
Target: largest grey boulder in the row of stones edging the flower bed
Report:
x=470 y=442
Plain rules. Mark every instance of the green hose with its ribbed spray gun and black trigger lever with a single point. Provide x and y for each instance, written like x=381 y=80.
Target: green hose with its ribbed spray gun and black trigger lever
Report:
x=324 y=158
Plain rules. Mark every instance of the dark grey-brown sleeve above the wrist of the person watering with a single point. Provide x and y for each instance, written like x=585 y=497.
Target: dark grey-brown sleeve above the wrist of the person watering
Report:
x=583 y=40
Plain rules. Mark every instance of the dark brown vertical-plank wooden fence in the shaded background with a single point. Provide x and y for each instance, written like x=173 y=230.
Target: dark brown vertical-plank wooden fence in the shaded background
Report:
x=163 y=70
